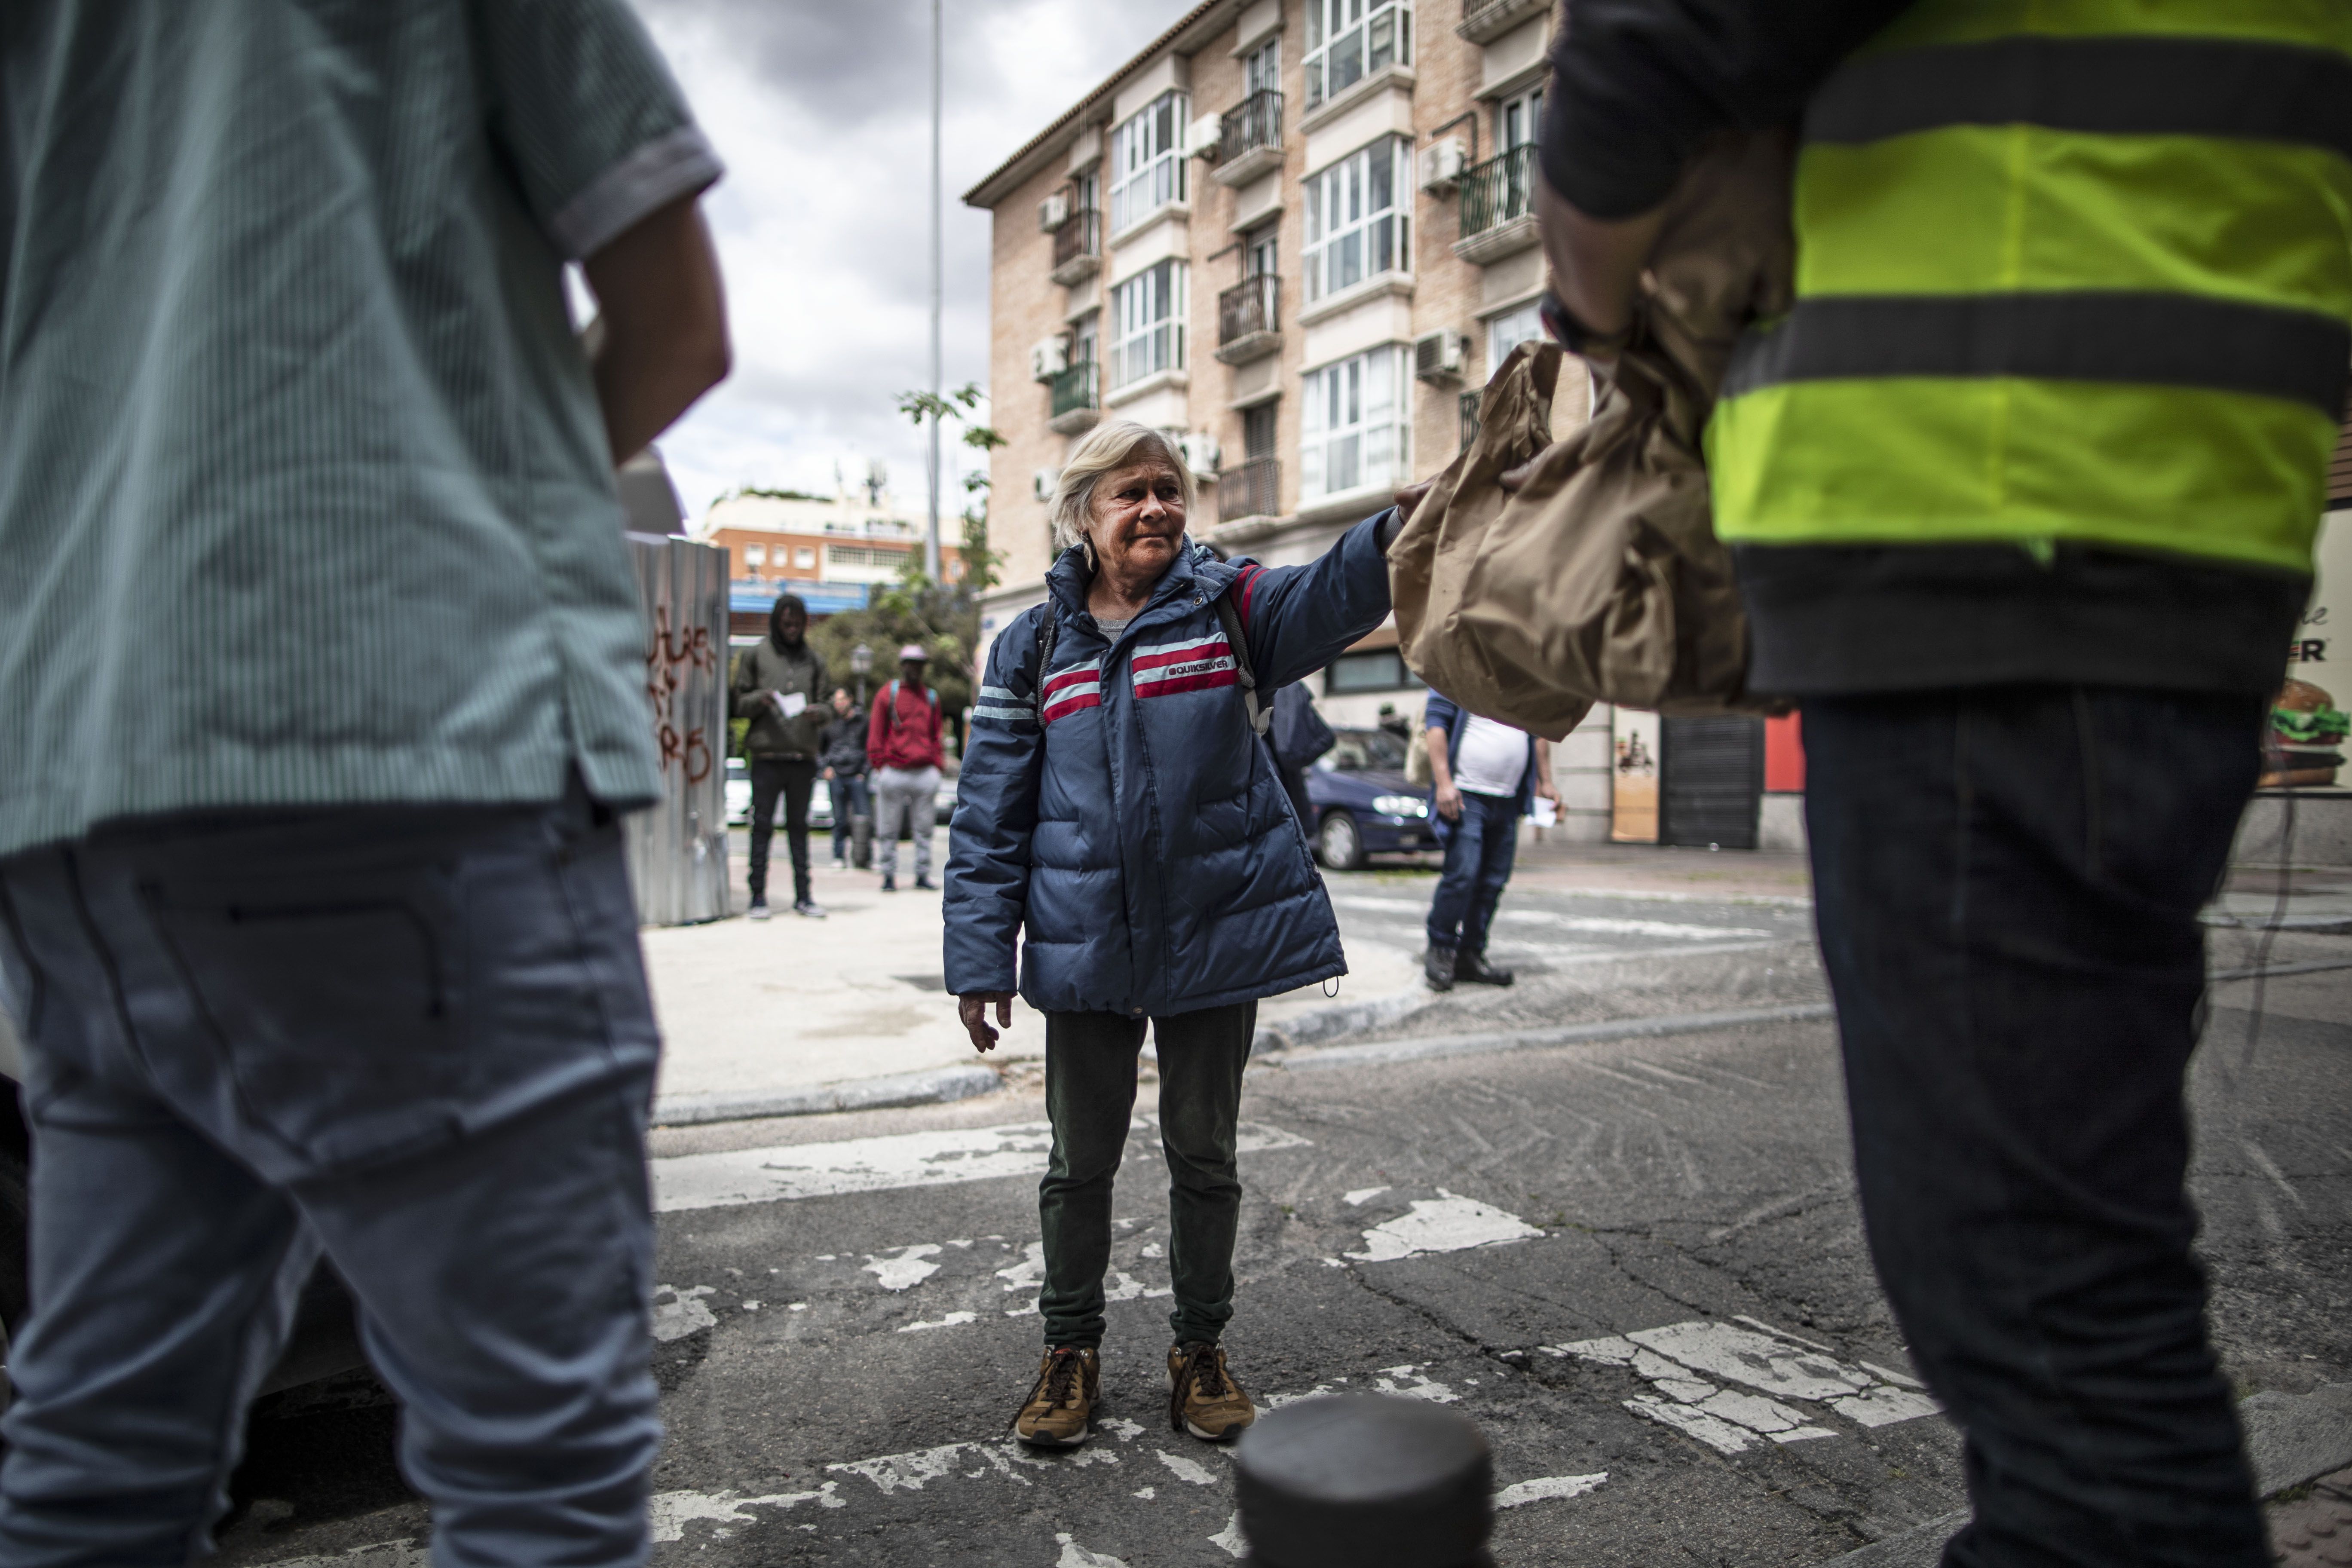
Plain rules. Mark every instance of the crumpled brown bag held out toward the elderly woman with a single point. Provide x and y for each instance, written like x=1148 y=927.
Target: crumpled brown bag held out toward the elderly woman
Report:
x=1601 y=579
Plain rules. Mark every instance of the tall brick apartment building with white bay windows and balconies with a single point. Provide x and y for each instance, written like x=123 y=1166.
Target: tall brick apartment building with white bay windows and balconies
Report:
x=1297 y=236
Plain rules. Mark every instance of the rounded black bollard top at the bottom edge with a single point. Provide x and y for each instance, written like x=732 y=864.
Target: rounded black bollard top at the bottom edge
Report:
x=1365 y=1480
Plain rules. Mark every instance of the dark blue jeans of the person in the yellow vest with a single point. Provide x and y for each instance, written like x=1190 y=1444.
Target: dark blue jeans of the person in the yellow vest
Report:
x=2007 y=887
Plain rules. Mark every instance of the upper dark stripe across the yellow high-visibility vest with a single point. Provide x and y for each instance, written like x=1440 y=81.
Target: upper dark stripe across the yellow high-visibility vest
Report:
x=2102 y=86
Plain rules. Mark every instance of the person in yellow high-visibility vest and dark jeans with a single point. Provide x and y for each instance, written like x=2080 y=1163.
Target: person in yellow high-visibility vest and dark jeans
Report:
x=2024 y=497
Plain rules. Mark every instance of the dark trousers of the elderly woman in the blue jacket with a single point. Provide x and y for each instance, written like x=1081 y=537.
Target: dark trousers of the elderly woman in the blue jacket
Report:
x=1090 y=1094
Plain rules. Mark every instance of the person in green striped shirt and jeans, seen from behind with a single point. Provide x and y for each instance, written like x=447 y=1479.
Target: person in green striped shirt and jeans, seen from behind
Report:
x=328 y=690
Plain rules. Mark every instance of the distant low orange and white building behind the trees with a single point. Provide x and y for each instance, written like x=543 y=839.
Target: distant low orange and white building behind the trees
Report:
x=827 y=549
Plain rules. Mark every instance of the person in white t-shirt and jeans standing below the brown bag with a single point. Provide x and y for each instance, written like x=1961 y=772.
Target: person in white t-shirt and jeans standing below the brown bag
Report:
x=1488 y=777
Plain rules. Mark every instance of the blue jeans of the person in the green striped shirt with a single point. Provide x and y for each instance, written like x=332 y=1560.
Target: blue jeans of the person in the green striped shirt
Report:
x=417 y=1040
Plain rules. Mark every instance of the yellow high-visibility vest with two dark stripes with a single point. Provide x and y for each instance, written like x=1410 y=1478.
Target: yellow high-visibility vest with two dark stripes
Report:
x=2066 y=272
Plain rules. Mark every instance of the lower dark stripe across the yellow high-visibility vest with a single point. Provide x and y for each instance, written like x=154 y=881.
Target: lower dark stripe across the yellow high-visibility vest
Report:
x=2156 y=340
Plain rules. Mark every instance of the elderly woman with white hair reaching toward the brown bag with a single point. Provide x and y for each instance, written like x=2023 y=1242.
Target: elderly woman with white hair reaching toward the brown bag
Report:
x=1123 y=833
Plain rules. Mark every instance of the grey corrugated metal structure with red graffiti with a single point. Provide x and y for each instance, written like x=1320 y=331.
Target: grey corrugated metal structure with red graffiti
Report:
x=679 y=847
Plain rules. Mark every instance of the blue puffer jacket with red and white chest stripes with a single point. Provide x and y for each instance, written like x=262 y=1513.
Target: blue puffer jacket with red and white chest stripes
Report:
x=1132 y=822
